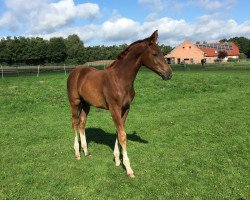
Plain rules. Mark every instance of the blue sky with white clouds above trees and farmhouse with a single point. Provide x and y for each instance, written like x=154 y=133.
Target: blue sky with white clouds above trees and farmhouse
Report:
x=103 y=22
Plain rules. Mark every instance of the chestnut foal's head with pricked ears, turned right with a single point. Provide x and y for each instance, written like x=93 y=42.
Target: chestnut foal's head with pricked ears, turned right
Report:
x=153 y=58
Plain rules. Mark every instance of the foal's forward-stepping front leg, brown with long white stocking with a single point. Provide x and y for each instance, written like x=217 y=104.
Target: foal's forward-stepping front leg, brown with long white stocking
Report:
x=122 y=138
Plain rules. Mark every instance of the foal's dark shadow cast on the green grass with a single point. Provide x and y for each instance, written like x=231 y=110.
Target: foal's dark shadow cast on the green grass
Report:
x=99 y=136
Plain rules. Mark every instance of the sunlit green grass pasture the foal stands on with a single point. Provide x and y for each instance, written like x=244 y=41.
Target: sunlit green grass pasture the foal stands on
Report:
x=188 y=138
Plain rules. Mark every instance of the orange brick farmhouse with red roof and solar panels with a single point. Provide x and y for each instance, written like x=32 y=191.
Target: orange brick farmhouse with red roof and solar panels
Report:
x=190 y=53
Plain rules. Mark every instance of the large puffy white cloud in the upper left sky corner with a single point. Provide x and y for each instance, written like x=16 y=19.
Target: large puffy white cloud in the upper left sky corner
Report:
x=45 y=16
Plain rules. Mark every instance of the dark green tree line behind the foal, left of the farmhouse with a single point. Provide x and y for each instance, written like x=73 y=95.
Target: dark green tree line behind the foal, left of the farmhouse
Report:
x=57 y=50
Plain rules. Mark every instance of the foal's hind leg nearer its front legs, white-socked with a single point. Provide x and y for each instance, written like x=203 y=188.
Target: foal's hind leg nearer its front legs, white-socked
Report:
x=82 y=123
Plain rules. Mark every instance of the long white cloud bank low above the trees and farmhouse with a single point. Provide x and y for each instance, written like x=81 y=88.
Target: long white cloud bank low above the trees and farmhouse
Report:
x=171 y=31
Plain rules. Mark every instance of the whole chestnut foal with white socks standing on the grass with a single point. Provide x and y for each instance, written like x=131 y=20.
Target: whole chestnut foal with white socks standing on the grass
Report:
x=113 y=89
